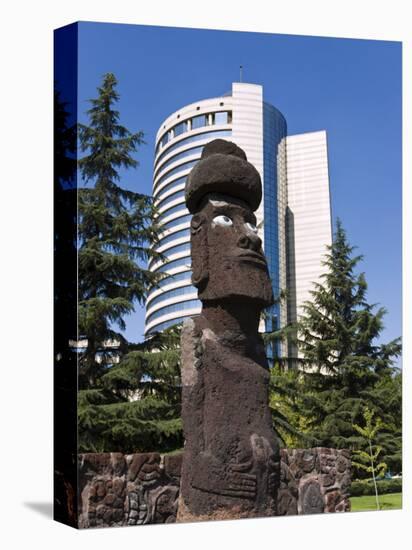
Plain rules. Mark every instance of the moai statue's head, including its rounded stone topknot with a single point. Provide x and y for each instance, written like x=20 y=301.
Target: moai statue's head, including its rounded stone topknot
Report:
x=222 y=192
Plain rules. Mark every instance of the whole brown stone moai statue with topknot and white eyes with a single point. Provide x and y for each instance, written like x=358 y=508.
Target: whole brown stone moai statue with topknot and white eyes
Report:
x=231 y=457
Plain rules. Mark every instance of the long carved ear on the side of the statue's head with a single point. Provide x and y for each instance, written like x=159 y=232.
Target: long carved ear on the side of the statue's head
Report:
x=200 y=267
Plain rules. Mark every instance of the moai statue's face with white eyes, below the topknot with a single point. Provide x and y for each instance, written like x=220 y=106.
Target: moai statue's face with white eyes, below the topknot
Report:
x=227 y=258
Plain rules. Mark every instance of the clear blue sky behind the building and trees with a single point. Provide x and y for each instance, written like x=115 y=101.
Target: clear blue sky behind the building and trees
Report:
x=350 y=88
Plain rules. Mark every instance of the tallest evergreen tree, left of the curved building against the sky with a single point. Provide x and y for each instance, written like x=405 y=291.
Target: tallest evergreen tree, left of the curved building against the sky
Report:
x=114 y=230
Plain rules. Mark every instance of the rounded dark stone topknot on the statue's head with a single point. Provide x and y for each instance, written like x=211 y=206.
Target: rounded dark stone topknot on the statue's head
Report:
x=223 y=168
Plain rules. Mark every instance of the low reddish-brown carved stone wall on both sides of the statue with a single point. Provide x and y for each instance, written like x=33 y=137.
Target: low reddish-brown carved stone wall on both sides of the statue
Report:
x=143 y=488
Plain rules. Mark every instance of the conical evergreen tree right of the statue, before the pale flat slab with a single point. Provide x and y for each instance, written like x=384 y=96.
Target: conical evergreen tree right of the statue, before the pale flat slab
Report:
x=343 y=368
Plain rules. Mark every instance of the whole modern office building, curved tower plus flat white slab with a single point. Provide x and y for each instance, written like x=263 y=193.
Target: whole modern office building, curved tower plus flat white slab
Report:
x=294 y=211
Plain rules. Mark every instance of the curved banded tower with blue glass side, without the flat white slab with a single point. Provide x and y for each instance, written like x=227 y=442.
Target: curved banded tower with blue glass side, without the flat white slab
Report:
x=260 y=130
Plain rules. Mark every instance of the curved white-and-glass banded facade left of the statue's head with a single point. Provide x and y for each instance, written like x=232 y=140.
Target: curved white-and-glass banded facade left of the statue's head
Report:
x=172 y=139
